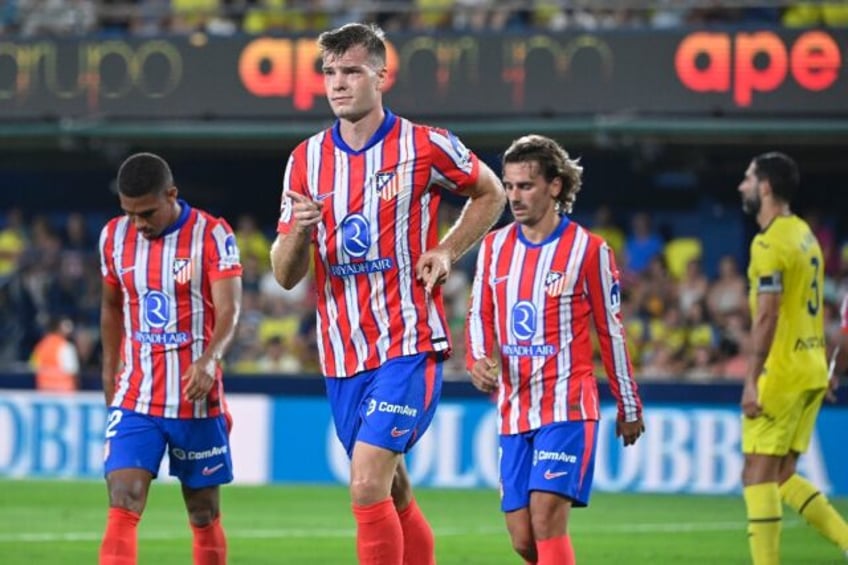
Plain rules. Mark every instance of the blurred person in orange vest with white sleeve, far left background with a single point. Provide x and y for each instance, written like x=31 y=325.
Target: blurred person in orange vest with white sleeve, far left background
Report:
x=55 y=359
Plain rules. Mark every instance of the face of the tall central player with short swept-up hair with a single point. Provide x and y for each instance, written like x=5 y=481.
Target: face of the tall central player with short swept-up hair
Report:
x=352 y=83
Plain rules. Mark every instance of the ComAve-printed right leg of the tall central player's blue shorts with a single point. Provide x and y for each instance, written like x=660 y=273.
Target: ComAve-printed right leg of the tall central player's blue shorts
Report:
x=401 y=401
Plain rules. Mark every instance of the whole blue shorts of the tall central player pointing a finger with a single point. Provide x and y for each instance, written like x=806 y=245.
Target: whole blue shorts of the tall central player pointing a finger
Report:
x=391 y=406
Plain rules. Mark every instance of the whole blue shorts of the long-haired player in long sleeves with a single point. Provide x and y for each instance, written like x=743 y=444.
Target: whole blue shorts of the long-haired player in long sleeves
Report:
x=557 y=458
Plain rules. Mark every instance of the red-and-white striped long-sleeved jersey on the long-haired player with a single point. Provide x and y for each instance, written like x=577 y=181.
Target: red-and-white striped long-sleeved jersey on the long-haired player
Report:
x=535 y=301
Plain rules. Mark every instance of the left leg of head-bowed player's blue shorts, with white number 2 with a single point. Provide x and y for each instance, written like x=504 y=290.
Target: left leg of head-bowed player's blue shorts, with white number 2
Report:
x=132 y=441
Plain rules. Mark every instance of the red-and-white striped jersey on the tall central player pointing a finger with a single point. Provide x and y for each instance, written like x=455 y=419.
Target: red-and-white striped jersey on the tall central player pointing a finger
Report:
x=379 y=216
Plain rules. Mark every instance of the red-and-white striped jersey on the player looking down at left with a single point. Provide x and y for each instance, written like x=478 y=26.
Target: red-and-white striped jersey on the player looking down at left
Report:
x=168 y=309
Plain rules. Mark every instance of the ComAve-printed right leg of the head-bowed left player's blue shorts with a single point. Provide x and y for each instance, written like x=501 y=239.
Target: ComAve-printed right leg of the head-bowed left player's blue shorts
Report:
x=199 y=451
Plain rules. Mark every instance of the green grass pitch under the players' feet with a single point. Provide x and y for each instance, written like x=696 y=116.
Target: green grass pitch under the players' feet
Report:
x=61 y=522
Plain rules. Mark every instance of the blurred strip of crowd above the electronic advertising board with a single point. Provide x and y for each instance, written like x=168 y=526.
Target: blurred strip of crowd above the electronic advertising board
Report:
x=34 y=18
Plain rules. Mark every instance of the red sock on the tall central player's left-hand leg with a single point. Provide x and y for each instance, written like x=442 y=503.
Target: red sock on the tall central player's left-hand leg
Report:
x=379 y=537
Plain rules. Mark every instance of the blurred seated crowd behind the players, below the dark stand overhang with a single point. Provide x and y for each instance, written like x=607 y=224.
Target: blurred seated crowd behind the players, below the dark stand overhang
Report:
x=681 y=323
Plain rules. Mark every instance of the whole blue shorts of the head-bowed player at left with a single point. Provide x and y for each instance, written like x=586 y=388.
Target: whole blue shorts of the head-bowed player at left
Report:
x=198 y=449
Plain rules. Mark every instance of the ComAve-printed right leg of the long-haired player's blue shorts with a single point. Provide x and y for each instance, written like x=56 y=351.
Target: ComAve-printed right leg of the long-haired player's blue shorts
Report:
x=564 y=455
